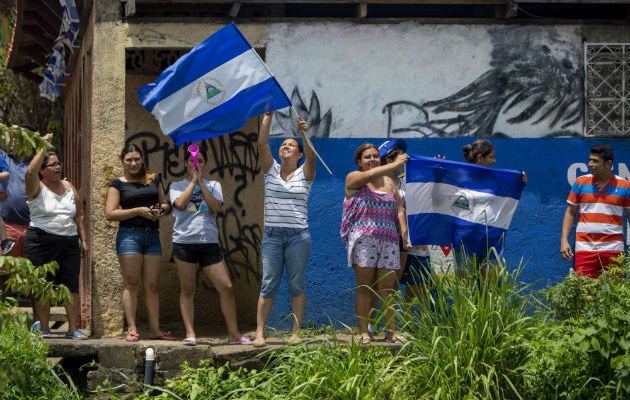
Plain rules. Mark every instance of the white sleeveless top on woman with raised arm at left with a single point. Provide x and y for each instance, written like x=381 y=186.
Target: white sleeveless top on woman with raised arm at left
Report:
x=52 y=213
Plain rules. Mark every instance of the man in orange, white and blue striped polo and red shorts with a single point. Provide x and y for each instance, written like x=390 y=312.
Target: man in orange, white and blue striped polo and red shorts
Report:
x=600 y=199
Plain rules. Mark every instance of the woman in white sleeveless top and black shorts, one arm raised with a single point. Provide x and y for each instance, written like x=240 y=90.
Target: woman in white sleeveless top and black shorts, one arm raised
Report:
x=54 y=232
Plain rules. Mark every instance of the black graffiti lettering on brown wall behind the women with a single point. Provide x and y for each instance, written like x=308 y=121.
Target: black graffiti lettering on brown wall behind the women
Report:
x=233 y=158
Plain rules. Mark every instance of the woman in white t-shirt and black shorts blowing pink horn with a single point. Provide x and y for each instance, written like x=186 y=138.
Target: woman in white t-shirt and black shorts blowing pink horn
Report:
x=196 y=202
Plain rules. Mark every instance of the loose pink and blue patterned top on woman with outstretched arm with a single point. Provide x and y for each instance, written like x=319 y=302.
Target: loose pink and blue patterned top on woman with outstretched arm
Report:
x=372 y=213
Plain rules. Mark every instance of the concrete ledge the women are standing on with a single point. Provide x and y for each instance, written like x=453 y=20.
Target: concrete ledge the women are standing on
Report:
x=123 y=363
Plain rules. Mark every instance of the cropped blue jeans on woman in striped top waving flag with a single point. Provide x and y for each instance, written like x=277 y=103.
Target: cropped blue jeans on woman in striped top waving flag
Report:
x=282 y=248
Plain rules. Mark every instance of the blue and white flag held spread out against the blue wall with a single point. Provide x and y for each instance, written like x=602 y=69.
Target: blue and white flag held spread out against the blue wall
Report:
x=456 y=204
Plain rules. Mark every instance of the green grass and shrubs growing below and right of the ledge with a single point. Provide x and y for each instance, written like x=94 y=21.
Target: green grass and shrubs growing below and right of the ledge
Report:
x=470 y=338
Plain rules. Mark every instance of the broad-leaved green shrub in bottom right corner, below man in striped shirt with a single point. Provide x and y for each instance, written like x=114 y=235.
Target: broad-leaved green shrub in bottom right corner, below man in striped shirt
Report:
x=584 y=352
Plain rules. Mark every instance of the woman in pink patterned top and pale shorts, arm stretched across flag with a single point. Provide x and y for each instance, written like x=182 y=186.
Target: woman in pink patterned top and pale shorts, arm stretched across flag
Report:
x=372 y=215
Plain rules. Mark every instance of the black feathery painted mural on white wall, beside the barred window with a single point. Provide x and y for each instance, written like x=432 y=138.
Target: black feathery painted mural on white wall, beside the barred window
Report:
x=536 y=78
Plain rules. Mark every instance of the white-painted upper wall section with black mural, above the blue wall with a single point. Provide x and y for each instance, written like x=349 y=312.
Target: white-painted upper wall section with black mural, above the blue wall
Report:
x=438 y=81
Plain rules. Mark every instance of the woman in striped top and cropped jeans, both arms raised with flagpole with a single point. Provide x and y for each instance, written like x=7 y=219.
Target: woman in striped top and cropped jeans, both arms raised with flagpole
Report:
x=286 y=240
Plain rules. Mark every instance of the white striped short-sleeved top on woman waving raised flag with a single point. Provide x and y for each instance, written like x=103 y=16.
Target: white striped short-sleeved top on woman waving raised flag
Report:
x=286 y=202
